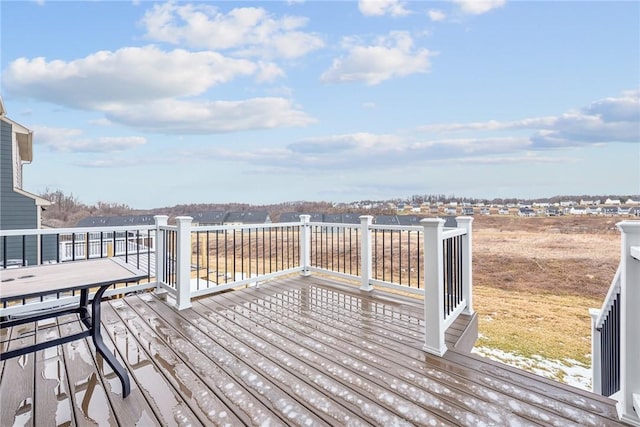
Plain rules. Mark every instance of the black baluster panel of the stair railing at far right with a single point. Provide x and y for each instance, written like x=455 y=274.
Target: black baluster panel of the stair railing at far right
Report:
x=610 y=349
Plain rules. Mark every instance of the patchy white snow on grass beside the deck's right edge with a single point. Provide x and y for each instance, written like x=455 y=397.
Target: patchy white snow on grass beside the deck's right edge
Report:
x=567 y=371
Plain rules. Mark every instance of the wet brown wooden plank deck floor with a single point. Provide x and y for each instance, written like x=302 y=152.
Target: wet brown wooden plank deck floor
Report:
x=296 y=351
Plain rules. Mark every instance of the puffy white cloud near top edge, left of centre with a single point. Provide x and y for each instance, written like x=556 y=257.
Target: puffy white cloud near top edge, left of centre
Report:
x=249 y=31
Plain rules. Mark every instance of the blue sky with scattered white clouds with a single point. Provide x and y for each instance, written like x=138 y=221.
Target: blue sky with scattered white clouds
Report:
x=159 y=103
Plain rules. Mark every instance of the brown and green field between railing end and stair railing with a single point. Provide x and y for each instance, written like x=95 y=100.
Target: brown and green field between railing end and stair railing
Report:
x=536 y=278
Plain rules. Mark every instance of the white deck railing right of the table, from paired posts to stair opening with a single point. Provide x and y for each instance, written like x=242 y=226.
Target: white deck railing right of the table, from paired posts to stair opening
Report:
x=196 y=261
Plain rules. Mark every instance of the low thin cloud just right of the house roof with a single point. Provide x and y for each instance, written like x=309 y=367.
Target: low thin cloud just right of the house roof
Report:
x=72 y=140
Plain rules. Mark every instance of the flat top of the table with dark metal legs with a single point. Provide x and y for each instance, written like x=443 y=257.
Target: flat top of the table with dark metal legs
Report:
x=51 y=278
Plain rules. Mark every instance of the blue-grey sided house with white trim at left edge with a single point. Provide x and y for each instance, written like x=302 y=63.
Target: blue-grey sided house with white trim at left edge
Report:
x=19 y=209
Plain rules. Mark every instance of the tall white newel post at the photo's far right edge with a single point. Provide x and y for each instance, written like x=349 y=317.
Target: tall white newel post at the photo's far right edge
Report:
x=629 y=321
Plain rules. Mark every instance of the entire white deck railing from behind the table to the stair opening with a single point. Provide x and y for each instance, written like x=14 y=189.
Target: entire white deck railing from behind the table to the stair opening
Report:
x=188 y=262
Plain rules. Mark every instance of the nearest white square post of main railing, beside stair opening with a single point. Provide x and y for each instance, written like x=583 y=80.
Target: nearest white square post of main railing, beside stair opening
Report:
x=433 y=287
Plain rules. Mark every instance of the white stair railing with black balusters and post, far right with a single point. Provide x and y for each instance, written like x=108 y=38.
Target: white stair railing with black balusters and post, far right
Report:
x=616 y=334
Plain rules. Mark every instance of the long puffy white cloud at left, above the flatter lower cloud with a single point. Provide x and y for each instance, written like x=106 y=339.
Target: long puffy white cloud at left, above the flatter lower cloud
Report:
x=106 y=80
